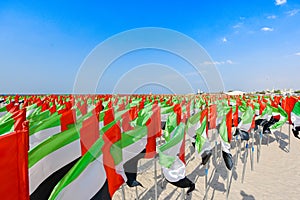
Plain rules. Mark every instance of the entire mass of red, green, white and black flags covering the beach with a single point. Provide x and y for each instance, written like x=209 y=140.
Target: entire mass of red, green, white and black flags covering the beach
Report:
x=88 y=146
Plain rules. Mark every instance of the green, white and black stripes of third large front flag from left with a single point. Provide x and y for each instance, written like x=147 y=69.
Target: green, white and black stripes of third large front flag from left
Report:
x=86 y=180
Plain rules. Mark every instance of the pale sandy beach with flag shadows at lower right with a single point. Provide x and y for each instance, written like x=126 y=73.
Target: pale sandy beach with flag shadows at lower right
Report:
x=276 y=176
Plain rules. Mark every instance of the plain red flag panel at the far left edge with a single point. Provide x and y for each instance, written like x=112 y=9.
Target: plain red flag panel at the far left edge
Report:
x=14 y=164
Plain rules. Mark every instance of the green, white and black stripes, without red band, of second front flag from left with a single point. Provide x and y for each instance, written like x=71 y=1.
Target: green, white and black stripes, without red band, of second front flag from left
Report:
x=50 y=160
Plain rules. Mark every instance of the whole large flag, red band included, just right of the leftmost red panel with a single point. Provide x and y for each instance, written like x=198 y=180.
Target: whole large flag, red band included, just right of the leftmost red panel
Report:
x=53 y=158
